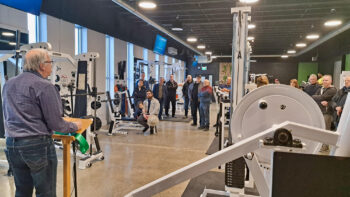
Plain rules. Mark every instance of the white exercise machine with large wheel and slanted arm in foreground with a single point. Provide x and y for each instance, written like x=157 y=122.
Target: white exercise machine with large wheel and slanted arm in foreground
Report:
x=271 y=118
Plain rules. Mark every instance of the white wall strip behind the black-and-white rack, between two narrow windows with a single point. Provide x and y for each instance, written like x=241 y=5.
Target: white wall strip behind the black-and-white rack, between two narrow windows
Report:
x=97 y=43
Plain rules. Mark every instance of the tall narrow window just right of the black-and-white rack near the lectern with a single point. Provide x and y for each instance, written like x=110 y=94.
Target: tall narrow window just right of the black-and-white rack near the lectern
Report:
x=110 y=65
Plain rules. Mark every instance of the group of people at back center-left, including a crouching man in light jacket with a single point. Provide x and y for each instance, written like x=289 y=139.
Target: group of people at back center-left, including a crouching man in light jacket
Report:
x=196 y=94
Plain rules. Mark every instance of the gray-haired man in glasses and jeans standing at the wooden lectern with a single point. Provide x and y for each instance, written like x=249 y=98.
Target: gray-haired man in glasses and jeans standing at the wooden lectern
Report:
x=32 y=111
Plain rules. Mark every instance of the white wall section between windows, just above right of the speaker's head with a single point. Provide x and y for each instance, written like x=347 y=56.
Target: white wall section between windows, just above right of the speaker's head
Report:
x=61 y=35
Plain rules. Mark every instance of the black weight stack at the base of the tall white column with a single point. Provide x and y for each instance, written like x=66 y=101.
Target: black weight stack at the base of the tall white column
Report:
x=235 y=173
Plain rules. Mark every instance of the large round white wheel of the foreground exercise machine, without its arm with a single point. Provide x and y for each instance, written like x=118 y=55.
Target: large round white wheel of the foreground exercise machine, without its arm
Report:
x=272 y=105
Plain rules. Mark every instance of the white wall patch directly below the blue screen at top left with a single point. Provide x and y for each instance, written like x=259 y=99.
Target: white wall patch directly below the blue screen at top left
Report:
x=13 y=19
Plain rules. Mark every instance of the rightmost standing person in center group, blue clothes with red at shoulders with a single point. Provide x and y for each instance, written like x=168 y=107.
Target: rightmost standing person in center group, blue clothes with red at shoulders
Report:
x=205 y=96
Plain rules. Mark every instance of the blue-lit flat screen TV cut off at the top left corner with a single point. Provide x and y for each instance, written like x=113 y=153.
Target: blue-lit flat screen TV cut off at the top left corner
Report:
x=31 y=6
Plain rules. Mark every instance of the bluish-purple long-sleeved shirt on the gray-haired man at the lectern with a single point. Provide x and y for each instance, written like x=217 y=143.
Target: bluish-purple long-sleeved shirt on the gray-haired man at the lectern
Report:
x=32 y=106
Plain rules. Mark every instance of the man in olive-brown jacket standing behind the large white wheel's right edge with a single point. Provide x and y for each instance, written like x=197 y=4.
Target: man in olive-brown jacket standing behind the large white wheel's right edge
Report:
x=322 y=97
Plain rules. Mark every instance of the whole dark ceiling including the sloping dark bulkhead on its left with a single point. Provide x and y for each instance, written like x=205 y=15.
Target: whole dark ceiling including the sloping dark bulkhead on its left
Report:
x=280 y=24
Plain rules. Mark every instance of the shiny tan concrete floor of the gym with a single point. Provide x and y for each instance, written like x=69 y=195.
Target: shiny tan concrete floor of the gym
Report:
x=134 y=160
